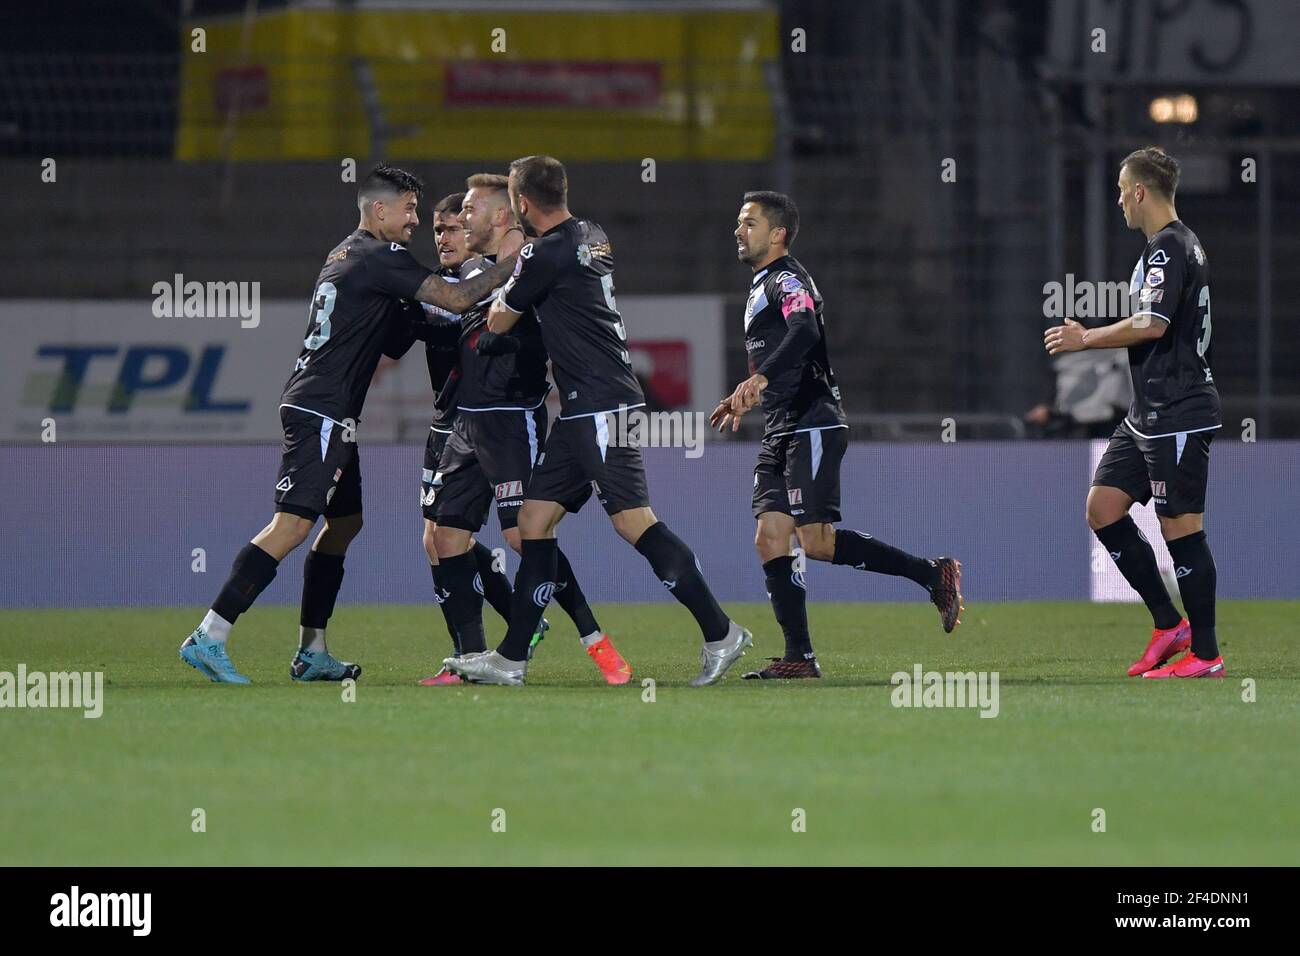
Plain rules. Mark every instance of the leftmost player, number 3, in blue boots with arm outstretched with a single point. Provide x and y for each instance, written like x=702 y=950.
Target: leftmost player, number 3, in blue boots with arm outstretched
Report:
x=356 y=309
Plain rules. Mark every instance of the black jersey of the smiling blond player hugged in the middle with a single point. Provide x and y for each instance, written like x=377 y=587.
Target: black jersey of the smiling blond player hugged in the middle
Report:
x=517 y=380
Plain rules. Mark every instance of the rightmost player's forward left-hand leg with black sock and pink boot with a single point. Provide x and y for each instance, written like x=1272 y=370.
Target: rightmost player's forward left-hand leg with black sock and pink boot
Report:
x=1120 y=535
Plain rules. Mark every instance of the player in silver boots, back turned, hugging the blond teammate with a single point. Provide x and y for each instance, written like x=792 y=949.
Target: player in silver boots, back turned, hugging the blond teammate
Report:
x=566 y=274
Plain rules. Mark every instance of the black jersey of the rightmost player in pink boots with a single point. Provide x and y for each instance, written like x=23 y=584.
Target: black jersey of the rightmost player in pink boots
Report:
x=1173 y=387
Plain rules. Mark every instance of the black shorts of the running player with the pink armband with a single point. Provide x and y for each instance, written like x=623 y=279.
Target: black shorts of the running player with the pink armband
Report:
x=799 y=475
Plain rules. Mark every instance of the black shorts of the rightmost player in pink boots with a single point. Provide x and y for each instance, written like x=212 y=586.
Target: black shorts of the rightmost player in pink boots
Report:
x=1173 y=470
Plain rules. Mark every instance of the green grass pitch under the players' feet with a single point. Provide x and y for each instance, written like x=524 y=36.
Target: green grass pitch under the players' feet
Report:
x=591 y=775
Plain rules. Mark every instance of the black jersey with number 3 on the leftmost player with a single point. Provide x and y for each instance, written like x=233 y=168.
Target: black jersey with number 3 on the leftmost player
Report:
x=358 y=300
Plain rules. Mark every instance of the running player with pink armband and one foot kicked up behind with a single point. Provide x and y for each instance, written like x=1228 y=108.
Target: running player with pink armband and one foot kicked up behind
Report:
x=805 y=436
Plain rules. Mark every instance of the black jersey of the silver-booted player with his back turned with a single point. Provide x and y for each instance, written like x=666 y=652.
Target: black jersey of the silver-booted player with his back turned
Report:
x=567 y=278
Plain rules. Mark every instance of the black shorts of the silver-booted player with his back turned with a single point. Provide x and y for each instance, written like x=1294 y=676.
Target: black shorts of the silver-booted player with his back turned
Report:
x=580 y=458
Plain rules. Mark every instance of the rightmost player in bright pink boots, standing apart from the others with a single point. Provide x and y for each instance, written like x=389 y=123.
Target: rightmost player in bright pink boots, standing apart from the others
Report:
x=1163 y=449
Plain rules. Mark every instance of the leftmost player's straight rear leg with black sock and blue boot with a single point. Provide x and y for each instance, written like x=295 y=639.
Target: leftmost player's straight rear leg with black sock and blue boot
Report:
x=323 y=576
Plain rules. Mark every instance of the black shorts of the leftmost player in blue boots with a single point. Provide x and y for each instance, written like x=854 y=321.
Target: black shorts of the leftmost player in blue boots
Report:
x=320 y=468
